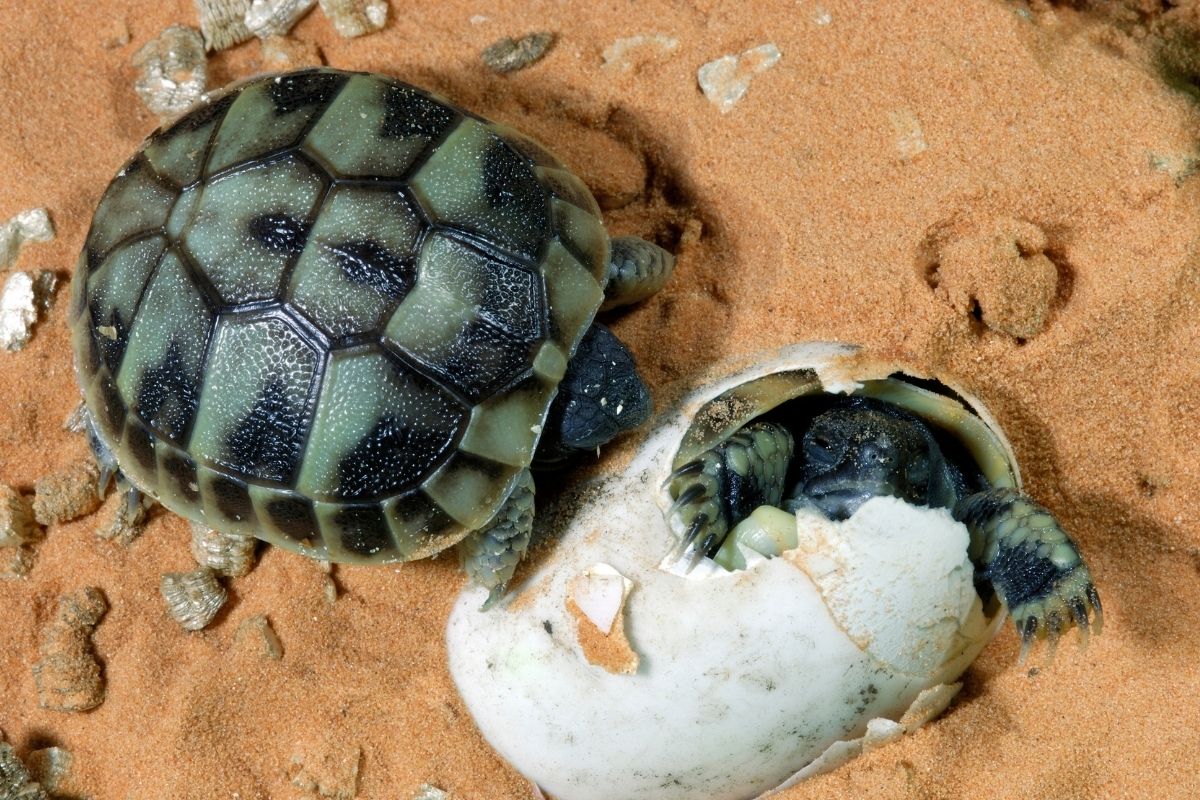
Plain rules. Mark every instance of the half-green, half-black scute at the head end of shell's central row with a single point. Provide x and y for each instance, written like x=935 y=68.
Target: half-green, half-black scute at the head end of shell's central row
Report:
x=473 y=321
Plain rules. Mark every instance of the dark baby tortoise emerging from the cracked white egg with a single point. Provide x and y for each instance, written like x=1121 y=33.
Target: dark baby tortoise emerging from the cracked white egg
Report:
x=898 y=437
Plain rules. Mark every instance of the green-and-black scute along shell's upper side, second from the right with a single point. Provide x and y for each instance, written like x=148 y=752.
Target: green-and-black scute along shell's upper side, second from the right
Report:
x=377 y=129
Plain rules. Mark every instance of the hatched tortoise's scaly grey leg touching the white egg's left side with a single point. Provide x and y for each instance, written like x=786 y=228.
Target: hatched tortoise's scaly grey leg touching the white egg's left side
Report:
x=491 y=556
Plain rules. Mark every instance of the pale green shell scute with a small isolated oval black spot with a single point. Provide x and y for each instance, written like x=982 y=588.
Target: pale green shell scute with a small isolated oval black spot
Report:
x=250 y=225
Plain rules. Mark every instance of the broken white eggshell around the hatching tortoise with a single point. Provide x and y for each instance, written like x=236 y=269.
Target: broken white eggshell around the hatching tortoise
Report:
x=743 y=682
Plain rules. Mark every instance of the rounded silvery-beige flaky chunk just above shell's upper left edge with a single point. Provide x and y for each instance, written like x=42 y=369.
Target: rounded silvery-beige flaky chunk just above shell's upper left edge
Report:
x=173 y=71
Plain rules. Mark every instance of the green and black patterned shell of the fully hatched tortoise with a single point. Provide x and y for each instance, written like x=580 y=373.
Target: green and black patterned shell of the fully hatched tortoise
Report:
x=331 y=310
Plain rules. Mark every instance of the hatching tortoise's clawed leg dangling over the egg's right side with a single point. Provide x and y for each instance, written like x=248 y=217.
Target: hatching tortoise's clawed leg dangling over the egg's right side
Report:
x=1034 y=566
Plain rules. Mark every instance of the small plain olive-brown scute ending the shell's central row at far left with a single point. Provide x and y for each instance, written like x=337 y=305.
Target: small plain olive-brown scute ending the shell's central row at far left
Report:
x=135 y=203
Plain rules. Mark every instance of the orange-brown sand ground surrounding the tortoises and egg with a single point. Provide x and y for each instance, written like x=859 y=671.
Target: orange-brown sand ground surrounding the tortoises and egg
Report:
x=1053 y=196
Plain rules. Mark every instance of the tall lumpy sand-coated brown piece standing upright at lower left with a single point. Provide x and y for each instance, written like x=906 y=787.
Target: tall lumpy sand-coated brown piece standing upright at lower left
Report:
x=68 y=676
